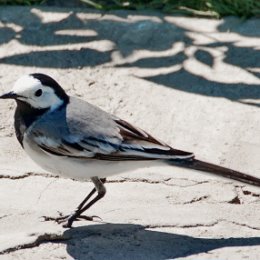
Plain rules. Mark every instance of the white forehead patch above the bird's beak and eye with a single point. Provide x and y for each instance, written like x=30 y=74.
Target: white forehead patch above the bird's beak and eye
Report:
x=26 y=83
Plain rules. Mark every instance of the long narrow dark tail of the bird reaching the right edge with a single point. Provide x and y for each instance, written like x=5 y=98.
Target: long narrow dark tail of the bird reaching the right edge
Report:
x=218 y=170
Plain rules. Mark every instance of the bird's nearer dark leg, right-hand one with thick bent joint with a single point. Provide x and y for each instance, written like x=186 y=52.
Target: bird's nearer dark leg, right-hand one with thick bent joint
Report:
x=101 y=190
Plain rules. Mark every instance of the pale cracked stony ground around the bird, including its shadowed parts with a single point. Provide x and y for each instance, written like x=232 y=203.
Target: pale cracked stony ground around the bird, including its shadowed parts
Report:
x=193 y=83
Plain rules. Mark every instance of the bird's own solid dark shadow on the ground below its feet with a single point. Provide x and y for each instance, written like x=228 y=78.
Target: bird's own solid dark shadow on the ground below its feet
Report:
x=130 y=241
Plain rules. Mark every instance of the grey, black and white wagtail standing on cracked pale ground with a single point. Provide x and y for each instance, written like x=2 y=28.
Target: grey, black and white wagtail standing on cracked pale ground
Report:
x=72 y=138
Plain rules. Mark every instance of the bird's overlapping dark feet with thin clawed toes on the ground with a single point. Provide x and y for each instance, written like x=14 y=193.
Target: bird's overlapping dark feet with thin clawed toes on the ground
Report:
x=69 y=219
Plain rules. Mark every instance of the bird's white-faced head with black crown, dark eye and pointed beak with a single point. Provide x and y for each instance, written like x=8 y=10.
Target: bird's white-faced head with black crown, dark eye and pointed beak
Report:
x=39 y=91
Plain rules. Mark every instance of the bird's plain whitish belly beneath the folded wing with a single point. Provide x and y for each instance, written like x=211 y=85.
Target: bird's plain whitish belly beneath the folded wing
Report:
x=80 y=169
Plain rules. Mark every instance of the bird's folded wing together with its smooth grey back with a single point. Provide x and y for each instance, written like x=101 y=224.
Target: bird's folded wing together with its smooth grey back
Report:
x=85 y=131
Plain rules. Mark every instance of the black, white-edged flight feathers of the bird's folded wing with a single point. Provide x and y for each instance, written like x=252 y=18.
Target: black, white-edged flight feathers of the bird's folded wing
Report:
x=130 y=143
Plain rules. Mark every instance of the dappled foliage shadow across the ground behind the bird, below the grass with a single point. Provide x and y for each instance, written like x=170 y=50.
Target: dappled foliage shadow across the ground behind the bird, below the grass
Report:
x=214 y=63
